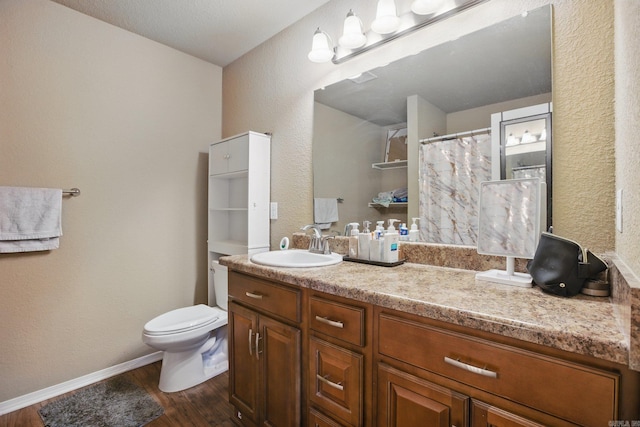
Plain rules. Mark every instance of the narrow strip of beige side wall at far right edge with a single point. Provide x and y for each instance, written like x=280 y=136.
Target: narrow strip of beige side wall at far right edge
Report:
x=627 y=60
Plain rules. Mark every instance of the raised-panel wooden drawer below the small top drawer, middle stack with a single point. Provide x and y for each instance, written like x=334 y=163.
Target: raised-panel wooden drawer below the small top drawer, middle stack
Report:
x=336 y=381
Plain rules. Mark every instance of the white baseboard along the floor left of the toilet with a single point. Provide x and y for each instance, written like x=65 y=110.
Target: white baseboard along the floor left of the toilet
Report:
x=67 y=386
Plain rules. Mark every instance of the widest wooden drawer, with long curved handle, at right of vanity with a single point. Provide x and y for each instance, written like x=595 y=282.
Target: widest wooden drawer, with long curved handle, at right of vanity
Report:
x=577 y=393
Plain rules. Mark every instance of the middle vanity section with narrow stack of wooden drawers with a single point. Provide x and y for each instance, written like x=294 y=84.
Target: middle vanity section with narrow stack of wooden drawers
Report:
x=339 y=363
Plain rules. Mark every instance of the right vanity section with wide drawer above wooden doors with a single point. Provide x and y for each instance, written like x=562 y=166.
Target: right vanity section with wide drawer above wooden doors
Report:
x=506 y=384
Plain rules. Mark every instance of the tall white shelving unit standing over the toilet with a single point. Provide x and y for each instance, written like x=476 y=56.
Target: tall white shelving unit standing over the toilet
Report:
x=239 y=188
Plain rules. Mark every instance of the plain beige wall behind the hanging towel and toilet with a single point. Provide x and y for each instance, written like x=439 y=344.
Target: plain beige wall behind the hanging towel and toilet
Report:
x=128 y=121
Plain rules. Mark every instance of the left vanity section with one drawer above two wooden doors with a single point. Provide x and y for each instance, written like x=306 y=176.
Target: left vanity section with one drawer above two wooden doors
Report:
x=264 y=352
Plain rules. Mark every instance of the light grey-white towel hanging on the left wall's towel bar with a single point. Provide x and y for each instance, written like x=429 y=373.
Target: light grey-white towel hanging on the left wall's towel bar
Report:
x=30 y=219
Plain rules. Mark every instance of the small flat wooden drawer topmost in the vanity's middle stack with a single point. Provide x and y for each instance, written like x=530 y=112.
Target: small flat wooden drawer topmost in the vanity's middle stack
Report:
x=341 y=321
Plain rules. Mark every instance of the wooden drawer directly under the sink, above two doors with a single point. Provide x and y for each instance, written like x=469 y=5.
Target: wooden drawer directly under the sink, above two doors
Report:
x=281 y=301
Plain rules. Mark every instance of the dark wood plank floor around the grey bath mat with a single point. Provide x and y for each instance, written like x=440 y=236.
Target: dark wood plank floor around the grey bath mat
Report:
x=206 y=404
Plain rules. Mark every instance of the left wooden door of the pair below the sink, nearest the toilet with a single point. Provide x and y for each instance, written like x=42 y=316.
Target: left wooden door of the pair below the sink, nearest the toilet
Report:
x=243 y=376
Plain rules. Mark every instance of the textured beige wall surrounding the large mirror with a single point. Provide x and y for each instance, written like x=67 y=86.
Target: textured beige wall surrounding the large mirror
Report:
x=272 y=88
